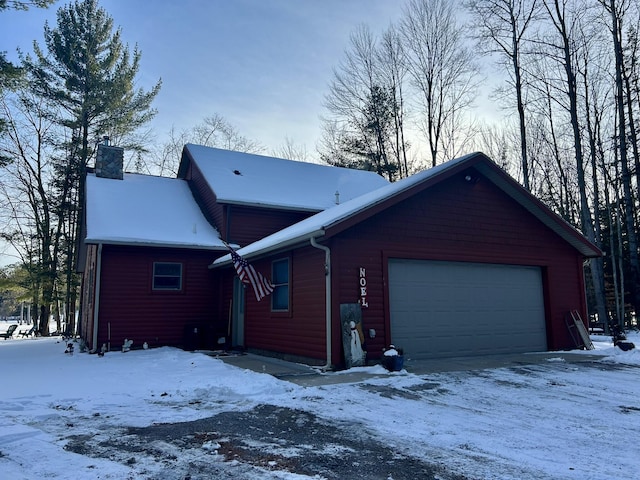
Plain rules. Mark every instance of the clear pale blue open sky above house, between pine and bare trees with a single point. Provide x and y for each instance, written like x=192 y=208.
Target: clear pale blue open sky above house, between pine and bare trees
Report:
x=263 y=65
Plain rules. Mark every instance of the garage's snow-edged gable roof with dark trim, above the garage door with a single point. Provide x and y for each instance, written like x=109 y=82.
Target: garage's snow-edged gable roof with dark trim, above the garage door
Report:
x=316 y=225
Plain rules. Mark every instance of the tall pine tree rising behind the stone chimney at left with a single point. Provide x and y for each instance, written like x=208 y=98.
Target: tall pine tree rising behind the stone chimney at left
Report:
x=89 y=74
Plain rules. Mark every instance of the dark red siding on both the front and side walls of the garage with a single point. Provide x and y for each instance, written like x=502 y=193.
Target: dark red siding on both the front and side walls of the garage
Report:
x=454 y=221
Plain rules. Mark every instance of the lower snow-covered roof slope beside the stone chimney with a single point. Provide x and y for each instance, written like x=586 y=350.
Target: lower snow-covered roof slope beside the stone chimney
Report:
x=146 y=210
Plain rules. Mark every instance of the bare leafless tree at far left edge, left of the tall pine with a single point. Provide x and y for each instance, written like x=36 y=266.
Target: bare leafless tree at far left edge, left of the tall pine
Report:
x=26 y=184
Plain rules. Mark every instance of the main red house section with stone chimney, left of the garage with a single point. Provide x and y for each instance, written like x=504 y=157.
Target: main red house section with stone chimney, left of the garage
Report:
x=148 y=240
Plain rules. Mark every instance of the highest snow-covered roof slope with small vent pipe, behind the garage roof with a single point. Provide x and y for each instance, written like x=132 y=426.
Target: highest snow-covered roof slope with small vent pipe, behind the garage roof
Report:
x=248 y=179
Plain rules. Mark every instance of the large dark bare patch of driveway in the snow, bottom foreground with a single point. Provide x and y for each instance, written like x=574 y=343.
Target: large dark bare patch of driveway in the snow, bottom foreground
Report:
x=241 y=445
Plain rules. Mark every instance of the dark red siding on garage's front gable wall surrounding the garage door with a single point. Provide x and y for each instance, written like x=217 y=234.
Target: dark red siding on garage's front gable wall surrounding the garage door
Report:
x=457 y=221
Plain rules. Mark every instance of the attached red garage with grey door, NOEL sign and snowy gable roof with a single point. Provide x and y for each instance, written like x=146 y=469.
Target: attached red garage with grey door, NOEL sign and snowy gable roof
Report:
x=458 y=260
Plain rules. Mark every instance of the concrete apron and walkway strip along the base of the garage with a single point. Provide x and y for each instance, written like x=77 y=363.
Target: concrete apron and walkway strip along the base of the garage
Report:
x=307 y=376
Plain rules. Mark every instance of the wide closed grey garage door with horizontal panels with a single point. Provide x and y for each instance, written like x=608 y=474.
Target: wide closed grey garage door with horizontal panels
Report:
x=446 y=309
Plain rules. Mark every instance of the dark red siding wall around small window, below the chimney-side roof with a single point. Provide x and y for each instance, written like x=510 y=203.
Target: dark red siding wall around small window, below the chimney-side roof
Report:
x=130 y=308
